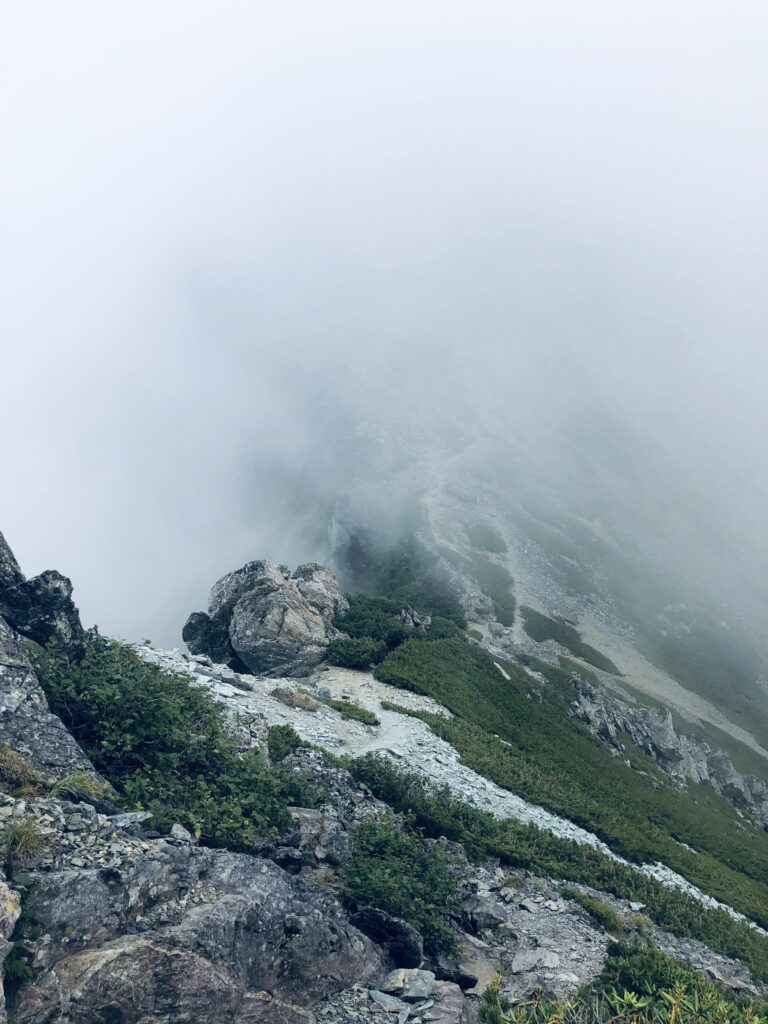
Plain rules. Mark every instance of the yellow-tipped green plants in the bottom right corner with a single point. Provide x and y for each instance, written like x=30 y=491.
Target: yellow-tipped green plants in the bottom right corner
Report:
x=638 y=986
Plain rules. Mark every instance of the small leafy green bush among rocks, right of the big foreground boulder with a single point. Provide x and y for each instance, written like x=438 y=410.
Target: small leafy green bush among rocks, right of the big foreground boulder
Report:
x=395 y=870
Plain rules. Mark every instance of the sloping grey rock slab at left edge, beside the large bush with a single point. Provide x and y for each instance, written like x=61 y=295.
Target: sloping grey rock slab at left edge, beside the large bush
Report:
x=26 y=723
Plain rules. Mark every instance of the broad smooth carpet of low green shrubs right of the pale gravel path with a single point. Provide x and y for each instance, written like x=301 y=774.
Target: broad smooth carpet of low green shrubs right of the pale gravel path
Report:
x=539 y=751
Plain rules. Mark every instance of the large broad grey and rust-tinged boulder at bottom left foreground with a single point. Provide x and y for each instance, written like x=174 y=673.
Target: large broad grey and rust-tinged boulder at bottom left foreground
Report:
x=197 y=934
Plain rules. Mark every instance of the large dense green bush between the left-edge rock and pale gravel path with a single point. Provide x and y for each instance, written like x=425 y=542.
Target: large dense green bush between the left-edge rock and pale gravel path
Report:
x=161 y=742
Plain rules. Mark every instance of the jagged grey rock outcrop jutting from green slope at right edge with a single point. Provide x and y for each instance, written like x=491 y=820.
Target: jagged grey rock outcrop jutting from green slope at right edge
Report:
x=688 y=759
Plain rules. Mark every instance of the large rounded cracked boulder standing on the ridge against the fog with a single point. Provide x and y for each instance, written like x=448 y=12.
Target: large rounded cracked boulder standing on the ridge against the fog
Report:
x=269 y=621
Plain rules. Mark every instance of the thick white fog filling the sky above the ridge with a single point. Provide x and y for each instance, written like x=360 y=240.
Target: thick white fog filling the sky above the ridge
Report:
x=236 y=235
